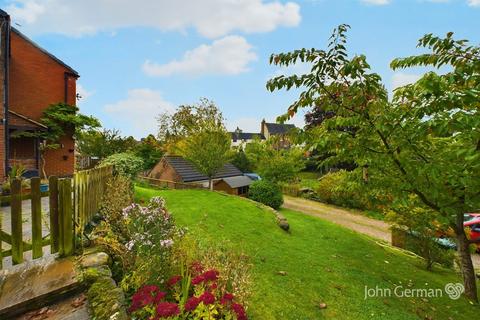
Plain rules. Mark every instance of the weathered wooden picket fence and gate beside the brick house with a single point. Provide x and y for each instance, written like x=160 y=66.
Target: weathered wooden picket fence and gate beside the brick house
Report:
x=72 y=203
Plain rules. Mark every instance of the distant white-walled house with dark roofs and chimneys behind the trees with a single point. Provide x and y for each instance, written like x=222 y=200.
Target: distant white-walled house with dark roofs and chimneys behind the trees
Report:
x=267 y=130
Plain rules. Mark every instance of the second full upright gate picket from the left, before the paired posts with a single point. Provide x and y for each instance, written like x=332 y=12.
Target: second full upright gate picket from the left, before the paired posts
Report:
x=36 y=202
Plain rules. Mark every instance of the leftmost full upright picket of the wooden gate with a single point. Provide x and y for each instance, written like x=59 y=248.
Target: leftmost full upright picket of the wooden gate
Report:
x=16 y=219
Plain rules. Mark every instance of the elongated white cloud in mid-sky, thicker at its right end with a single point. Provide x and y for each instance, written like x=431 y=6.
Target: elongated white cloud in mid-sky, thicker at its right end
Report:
x=229 y=55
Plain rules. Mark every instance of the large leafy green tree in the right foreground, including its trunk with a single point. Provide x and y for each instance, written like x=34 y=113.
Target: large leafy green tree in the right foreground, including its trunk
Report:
x=424 y=142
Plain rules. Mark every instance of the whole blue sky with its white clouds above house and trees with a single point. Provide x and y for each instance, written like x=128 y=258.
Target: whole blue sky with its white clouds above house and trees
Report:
x=140 y=58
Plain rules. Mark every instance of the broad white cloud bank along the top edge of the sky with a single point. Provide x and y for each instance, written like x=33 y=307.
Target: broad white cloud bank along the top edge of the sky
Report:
x=211 y=18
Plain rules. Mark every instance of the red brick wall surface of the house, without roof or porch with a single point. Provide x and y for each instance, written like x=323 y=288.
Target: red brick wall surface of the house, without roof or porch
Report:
x=36 y=81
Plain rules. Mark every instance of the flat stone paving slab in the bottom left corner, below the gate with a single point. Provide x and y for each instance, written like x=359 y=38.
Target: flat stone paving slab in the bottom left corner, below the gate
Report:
x=36 y=284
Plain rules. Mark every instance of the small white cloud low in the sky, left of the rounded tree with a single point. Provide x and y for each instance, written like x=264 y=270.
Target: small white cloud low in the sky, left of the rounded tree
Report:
x=137 y=113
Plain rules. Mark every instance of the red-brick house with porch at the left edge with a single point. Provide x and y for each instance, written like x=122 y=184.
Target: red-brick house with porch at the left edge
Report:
x=31 y=79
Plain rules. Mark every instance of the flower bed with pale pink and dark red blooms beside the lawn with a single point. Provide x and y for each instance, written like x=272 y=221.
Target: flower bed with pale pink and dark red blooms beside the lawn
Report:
x=166 y=273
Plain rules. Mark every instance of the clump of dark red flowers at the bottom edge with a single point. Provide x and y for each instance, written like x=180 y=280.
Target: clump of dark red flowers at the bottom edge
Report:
x=195 y=295
